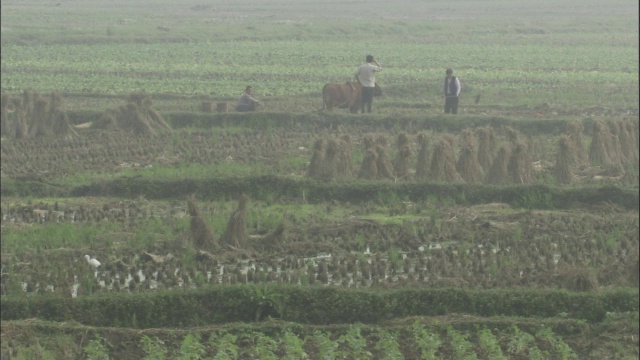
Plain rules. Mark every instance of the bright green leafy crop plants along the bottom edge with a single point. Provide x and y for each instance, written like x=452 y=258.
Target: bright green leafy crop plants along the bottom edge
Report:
x=415 y=340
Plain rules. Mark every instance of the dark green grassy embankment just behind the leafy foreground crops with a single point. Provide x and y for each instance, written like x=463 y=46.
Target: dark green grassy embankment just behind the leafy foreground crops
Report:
x=312 y=305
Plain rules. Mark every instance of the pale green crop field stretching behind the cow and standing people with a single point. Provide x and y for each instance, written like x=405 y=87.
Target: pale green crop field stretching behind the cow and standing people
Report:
x=297 y=67
